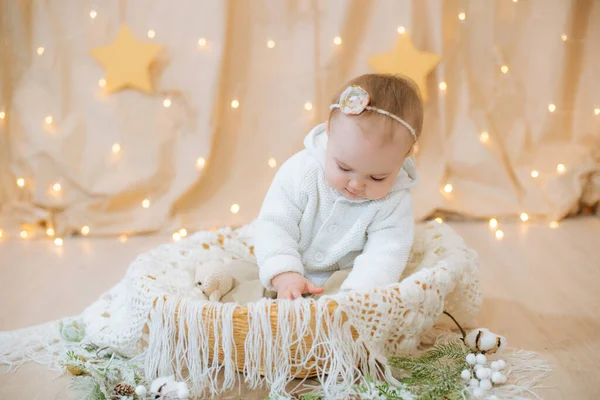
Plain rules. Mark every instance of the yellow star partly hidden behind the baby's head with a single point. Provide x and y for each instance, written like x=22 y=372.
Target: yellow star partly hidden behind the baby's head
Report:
x=406 y=60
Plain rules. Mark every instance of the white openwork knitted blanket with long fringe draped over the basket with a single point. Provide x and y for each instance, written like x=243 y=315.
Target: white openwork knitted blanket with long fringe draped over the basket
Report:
x=442 y=274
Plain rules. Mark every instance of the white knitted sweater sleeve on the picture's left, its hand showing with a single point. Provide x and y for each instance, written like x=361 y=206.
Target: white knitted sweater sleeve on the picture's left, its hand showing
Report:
x=278 y=231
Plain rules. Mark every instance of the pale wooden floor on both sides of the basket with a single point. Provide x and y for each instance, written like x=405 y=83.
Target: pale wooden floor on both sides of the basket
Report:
x=541 y=286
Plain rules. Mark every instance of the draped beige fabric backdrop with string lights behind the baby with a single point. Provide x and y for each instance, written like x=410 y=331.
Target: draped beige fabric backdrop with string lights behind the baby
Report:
x=160 y=146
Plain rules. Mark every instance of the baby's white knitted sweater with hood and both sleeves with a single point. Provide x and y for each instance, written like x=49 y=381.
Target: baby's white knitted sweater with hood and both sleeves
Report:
x=308 y=227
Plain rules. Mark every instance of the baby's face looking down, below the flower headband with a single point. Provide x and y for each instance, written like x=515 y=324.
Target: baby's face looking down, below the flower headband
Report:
x=360 y=162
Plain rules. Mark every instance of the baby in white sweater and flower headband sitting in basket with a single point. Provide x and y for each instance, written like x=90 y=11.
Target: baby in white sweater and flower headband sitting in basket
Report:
x=344 y=201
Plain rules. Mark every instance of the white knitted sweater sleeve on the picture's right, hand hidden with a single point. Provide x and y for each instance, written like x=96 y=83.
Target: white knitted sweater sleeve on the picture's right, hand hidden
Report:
x=389 y=241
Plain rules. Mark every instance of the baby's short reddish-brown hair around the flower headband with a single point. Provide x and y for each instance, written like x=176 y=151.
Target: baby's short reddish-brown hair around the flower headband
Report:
x=396 y=94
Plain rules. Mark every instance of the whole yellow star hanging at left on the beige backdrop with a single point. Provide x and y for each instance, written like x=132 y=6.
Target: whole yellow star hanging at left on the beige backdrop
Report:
x=127 y=62
